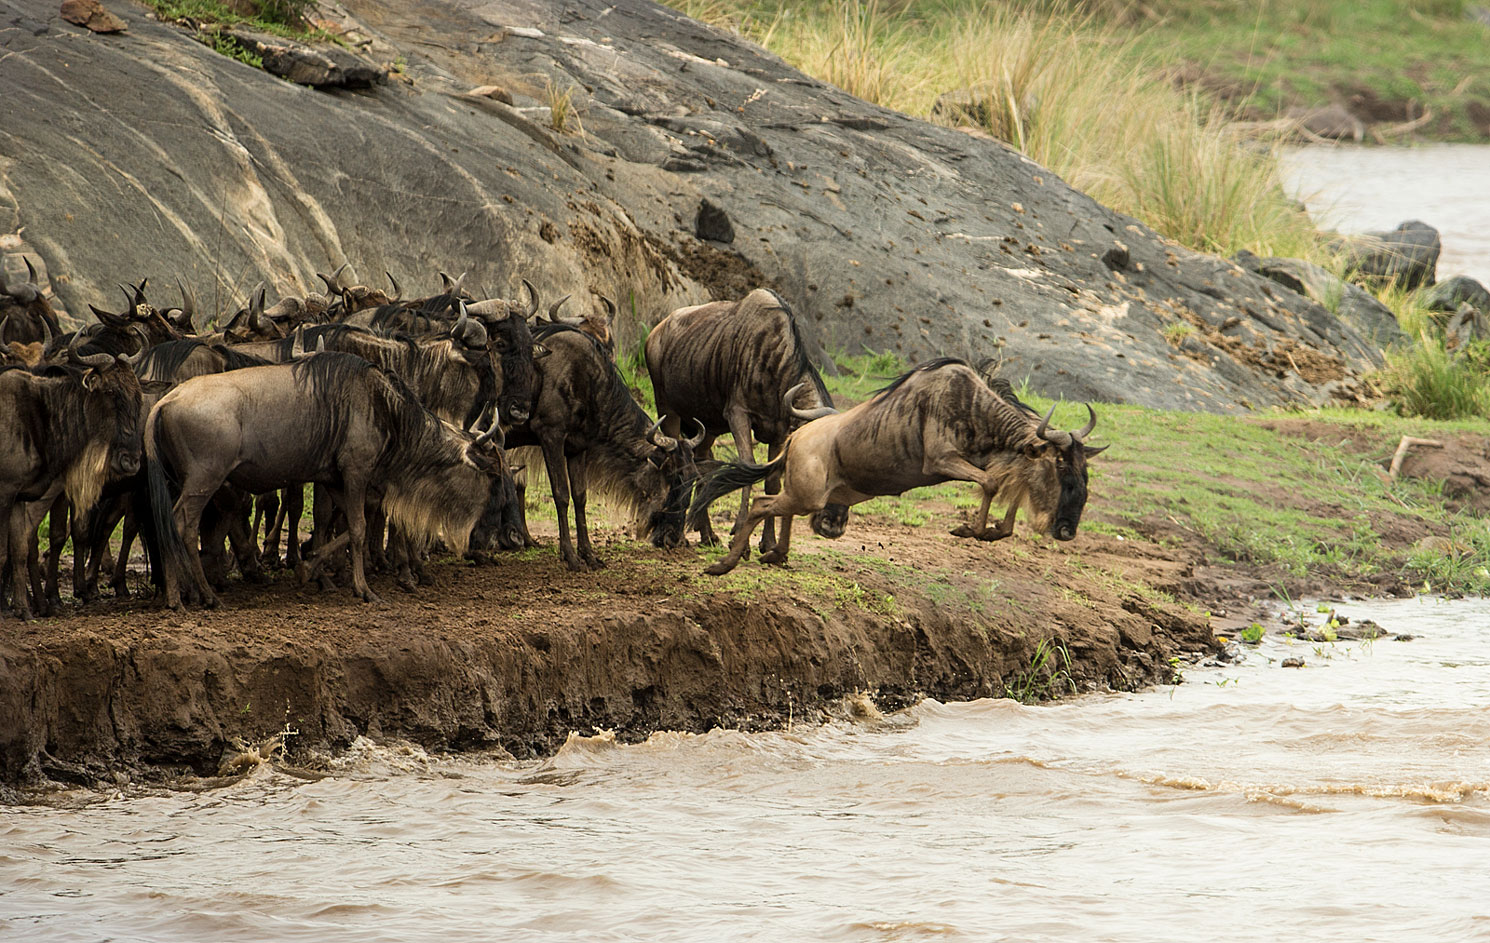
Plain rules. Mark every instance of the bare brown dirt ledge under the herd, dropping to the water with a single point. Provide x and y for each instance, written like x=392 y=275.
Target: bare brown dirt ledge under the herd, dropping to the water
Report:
x=518 y=655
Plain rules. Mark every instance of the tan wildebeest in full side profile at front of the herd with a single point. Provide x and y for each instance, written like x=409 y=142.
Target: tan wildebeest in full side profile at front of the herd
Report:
x=332 y=419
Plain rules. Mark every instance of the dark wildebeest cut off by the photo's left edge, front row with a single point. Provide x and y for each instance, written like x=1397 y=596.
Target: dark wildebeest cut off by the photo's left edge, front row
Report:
x=68 y=430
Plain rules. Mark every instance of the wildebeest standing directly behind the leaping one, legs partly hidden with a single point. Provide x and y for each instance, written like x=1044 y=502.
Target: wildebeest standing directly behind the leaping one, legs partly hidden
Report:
x=740 y=367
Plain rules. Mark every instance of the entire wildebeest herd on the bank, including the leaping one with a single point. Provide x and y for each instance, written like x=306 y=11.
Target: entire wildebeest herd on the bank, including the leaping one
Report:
x=403 y=413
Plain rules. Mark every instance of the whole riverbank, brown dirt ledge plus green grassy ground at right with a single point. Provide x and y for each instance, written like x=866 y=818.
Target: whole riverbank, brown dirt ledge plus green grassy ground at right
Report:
x=519 y=653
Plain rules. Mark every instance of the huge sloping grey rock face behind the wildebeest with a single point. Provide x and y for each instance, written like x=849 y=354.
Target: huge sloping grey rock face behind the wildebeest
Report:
x=886 y=233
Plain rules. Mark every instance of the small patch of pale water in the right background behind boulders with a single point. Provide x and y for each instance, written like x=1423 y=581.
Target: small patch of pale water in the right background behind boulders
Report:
x=1354 y=190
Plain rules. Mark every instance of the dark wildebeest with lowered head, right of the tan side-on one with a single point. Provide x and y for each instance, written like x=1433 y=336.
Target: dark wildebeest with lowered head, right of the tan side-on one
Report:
x=592 y=431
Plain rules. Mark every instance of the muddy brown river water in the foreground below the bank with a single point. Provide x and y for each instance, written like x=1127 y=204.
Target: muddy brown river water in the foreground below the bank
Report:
x=1345 y=801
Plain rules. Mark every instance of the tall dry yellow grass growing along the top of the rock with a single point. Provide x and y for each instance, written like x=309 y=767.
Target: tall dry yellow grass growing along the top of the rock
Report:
x=1072 y=93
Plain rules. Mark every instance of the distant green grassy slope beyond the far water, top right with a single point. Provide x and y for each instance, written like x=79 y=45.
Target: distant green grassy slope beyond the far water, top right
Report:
x=1270 y=57
